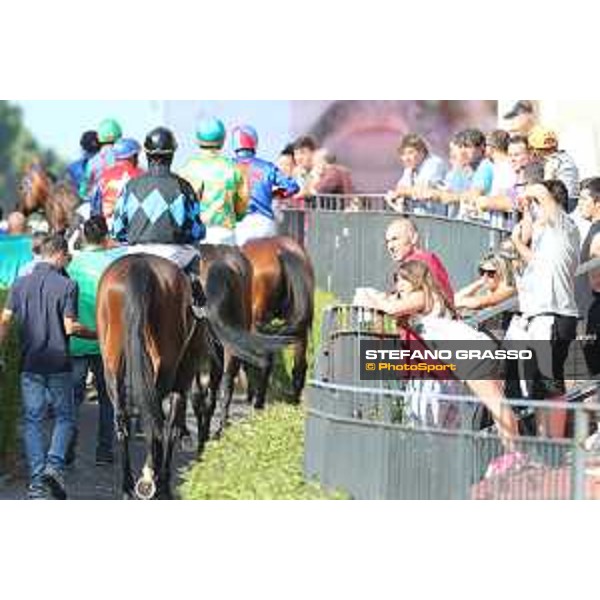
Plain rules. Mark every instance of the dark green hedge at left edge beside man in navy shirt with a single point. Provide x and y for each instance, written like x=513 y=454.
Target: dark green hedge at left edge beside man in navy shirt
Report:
x=10 y=400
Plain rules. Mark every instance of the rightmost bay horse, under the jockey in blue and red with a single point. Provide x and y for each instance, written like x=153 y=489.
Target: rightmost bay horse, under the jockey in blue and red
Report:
x=283 y=286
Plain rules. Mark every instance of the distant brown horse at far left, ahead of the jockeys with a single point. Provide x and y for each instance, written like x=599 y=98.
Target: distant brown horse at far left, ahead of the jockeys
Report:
x=39 y=194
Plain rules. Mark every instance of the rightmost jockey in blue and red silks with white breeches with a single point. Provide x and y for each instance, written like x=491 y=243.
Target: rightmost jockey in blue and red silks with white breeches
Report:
x=263 y=180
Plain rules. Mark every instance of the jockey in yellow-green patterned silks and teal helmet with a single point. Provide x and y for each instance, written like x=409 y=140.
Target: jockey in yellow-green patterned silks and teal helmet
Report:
x=217 y=182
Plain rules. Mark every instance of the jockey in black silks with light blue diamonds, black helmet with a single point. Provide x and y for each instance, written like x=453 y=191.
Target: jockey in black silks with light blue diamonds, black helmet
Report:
x=158 y=212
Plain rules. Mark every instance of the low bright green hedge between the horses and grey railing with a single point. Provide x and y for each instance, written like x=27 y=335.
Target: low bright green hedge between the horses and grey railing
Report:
x=259 y=458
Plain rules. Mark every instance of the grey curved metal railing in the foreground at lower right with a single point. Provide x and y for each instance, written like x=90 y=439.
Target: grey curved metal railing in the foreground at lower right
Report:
x=359 y=440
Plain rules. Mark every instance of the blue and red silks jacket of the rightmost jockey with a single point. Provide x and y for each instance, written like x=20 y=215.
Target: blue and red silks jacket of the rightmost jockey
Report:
x=262 y=179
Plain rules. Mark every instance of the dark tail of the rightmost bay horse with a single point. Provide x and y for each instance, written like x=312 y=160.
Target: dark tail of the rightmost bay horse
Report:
x=299 y=296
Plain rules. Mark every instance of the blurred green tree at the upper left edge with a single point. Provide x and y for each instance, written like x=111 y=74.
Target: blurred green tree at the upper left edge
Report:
x=17 y=148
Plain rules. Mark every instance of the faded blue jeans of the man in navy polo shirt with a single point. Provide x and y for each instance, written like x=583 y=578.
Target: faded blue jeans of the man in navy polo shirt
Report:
x=38 y=393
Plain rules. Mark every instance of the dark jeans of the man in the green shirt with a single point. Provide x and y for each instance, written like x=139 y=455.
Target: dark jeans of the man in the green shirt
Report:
x=106 y=427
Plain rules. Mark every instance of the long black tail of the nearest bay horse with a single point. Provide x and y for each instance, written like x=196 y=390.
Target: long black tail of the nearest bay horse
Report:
x=140 y=288
